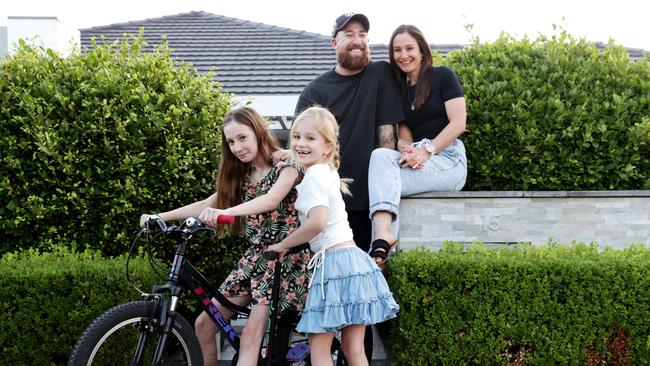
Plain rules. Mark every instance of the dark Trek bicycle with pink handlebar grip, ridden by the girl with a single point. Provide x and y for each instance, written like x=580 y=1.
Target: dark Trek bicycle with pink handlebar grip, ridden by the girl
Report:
x=150 y=331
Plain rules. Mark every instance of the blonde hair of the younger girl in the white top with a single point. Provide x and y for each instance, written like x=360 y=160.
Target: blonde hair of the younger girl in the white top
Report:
x=327 y=126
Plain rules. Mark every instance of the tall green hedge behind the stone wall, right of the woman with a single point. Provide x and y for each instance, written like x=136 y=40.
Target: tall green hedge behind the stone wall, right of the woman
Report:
x=555 y=113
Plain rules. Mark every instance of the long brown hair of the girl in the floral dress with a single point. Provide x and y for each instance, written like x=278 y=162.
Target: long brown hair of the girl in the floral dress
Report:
x=232 y=172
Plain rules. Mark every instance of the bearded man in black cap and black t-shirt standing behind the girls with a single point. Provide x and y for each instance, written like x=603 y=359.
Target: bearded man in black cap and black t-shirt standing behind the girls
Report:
x=365 y=99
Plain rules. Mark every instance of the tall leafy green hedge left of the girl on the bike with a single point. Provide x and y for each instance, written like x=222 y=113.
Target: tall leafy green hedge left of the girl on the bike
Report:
x=91 y=141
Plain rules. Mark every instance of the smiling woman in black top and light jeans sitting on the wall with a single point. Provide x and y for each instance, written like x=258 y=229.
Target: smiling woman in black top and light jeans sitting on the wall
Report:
x=430 y=156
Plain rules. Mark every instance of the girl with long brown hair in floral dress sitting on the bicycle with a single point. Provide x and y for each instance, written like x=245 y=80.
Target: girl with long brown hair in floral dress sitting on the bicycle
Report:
x=249 y=185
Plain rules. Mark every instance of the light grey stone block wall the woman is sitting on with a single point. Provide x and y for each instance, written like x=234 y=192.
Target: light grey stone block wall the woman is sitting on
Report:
x=609 y=218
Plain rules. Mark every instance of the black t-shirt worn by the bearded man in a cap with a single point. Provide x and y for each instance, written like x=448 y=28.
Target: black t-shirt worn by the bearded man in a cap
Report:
x=360 y=103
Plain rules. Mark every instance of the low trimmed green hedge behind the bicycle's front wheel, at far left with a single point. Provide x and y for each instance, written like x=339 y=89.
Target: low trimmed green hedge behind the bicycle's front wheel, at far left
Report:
x=49 y=299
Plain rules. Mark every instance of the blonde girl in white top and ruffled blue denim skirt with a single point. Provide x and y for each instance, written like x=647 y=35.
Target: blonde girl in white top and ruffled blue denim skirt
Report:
x=348 y=290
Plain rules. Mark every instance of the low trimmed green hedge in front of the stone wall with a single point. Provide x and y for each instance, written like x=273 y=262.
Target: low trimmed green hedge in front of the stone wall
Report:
x=560 y=305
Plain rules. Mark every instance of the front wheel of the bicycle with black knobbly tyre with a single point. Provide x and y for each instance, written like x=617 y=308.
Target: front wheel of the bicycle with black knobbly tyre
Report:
x=128 y=334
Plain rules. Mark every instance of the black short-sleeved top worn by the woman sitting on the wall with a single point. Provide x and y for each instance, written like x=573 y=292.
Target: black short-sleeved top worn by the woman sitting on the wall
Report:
x=431 y=118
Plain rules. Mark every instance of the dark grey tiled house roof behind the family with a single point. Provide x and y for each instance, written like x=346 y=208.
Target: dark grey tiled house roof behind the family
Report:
x=249 y=58
